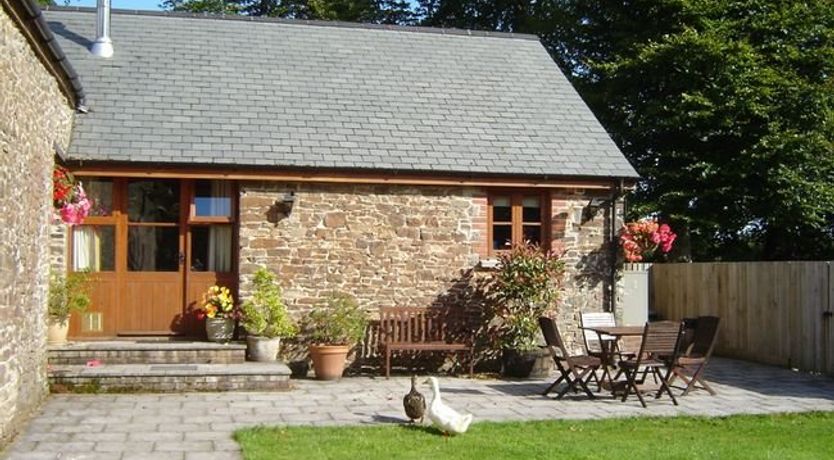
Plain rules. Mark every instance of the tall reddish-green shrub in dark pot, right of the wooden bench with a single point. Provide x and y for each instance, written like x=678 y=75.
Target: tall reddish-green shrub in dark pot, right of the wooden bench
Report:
x=525 y=286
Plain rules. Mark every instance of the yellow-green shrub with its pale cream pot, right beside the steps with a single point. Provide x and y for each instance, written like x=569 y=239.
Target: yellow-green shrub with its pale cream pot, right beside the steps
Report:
x=265 y=318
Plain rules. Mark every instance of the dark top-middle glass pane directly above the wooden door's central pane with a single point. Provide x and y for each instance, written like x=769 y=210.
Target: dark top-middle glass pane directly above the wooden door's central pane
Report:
x=153 y=201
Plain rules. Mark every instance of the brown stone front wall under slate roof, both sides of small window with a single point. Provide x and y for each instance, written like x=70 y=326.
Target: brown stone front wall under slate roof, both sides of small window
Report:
x=401 y=245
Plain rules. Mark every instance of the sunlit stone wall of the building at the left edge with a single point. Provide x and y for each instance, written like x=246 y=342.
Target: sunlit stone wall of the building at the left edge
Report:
x=35 y=114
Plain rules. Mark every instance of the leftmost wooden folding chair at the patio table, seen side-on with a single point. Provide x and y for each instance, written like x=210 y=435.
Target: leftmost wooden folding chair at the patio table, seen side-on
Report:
x=576 y=370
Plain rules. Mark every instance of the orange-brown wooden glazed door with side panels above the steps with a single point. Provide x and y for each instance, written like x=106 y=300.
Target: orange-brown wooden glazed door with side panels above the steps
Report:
x=153 y=247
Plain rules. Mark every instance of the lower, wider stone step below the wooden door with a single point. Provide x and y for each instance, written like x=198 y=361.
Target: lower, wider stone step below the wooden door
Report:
x=169 y=377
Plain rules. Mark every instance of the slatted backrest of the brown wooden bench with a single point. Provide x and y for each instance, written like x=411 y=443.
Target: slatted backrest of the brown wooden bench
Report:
x=421 y=324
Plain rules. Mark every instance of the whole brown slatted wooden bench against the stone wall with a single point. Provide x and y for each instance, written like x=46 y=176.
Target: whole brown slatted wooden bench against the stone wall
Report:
x=424 y=329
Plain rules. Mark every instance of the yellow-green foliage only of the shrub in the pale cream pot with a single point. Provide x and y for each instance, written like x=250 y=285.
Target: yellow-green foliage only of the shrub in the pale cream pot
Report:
x=264 y=313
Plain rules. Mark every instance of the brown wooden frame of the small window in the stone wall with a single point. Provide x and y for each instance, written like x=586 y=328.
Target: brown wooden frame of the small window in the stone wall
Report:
x=517 y=218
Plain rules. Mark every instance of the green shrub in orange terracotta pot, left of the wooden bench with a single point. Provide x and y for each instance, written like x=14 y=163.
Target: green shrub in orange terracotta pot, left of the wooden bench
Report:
x=332 y=330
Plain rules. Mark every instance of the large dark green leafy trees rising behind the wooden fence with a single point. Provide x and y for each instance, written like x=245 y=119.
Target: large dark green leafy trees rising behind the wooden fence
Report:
x=725 y=107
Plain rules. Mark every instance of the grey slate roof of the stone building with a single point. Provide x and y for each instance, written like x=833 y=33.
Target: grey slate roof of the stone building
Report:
x=208 y=91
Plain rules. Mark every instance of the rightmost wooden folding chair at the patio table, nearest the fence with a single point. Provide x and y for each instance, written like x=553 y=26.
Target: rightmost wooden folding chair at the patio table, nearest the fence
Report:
x=692 y=362
